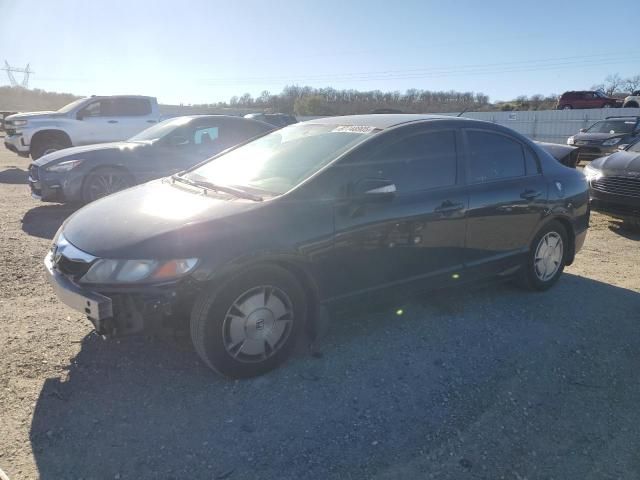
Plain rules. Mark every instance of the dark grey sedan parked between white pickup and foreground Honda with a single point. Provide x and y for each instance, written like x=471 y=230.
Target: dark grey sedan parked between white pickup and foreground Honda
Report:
x=84 y=174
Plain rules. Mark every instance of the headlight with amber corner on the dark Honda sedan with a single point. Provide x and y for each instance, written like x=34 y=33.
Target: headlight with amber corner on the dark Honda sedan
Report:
x=131 y=271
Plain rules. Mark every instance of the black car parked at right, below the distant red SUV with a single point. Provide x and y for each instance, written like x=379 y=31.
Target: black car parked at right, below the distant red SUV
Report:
x=603 y=137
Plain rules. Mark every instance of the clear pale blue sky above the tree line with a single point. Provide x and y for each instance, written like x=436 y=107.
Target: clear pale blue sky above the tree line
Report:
x=208 y=50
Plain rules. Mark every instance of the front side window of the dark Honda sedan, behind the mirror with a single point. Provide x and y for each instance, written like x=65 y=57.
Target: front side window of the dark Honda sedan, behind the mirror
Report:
x=418 y=162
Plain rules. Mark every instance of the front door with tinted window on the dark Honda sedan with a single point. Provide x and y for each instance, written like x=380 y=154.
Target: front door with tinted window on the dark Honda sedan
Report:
x=413 y=237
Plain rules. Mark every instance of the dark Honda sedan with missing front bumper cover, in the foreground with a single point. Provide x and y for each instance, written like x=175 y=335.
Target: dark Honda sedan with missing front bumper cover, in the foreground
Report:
x=248 y=250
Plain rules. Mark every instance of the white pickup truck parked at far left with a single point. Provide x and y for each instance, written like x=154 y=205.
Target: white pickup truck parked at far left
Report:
x=82 y=122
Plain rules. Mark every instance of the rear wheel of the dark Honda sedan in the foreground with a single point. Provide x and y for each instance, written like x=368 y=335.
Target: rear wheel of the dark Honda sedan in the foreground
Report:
x=542 y=274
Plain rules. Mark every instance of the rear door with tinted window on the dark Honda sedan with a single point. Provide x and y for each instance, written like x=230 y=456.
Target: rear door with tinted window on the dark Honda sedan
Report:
x=507 y=200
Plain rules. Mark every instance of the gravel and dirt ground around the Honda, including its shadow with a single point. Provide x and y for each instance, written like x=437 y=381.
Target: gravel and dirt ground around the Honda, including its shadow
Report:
x=483 y=384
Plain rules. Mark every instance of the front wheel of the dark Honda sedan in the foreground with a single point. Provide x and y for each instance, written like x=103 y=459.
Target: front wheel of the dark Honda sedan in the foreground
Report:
x=249 y=325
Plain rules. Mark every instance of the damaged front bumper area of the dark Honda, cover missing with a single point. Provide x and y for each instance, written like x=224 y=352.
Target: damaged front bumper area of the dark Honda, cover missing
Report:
x=116 y=312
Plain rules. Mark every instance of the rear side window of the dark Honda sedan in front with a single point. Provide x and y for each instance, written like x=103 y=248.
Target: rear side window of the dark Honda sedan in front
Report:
x=494 y=156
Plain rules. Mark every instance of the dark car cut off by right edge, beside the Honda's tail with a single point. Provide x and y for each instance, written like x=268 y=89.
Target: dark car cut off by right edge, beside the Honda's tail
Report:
x=614 y=184
